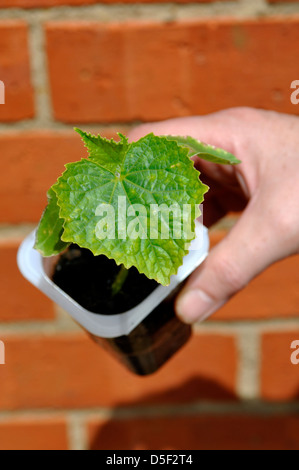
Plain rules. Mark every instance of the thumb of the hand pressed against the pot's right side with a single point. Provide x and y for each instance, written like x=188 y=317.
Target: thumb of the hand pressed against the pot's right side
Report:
x=246 y=251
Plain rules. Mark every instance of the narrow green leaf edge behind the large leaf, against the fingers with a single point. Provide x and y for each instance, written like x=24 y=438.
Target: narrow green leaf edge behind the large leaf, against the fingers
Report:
x=206 y=152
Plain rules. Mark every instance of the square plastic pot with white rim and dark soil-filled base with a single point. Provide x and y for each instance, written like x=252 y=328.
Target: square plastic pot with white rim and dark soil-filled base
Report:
x=116 y=332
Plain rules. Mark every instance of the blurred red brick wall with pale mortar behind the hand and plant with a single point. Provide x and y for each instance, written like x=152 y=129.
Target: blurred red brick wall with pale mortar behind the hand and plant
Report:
x=107 y=66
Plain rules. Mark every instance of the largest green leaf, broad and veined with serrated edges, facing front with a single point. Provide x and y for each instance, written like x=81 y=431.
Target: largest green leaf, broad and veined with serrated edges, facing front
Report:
x=151 y=172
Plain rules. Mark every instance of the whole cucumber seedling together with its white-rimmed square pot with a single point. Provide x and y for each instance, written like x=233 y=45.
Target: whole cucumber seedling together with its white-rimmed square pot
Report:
x=118 y=224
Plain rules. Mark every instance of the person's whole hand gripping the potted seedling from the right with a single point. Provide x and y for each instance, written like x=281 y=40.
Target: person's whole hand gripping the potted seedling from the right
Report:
x=265 y=187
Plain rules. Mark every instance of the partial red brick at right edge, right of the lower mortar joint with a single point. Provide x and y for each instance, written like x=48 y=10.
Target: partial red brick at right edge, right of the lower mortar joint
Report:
x=280 y=378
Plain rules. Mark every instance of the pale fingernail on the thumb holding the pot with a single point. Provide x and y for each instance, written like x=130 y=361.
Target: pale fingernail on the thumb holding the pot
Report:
x=195 y=306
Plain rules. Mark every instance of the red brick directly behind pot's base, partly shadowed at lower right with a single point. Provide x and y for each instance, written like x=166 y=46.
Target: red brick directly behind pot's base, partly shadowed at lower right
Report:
x=70 y=371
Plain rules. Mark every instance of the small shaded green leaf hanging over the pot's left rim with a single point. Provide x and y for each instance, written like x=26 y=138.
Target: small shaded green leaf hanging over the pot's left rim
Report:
x=48 y=237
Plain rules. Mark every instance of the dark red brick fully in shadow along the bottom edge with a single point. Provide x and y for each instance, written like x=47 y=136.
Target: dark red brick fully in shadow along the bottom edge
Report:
x=196 y=433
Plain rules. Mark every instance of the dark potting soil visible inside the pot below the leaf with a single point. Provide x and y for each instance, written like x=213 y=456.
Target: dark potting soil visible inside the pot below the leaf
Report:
x=88 y=279
